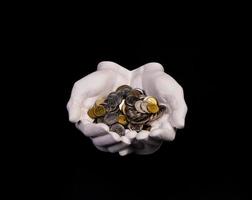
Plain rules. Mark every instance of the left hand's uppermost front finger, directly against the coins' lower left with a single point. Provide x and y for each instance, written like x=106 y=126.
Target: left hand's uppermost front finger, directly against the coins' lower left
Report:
x=93 y=130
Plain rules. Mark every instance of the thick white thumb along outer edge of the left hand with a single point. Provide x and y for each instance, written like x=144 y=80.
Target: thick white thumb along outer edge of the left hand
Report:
x=84 y=89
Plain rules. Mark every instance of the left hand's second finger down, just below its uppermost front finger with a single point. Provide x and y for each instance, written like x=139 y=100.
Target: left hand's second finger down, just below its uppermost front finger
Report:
x=105 y=140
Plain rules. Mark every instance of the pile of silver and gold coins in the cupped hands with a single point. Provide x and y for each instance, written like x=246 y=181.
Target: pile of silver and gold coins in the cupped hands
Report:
x=126 y=108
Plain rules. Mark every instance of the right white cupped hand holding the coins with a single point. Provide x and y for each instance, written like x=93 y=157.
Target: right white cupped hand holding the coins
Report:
x=152 y=78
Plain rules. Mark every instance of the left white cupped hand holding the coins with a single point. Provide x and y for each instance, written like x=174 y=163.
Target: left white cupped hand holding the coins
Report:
x=107 y=78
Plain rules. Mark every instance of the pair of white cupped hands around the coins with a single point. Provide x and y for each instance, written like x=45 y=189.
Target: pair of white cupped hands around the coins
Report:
x=109 y=76
